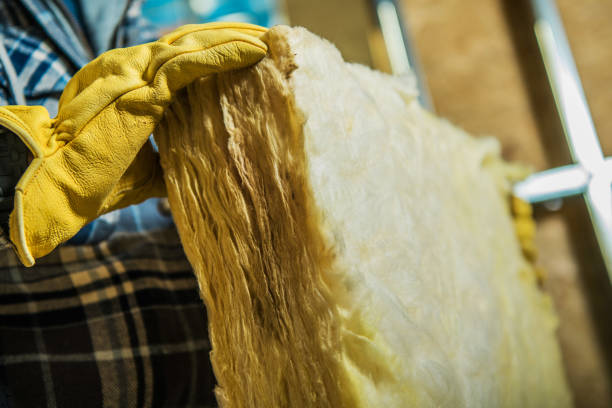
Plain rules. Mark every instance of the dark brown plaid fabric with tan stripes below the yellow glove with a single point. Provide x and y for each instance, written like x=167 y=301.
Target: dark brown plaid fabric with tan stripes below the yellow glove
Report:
x=119 y=324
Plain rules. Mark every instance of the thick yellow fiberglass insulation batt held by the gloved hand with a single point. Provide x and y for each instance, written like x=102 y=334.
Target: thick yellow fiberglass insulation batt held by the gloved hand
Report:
x=352 y=249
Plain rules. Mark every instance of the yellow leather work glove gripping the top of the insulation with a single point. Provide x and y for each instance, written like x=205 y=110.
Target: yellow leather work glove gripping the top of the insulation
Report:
x=94 y=156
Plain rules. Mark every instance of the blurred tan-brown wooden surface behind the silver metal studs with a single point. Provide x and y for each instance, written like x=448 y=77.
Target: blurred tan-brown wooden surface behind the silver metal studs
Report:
x=483 y=69
